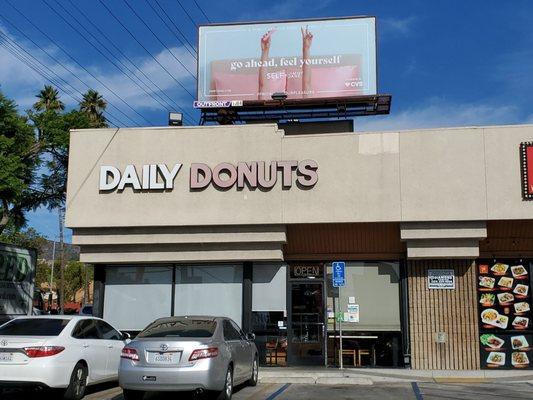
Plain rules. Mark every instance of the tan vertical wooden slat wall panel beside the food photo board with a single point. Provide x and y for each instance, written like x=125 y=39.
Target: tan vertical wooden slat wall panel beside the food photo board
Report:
x=450 y=311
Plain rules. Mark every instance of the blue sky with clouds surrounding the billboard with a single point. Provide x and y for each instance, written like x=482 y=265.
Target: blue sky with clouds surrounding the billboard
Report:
x=446 y=63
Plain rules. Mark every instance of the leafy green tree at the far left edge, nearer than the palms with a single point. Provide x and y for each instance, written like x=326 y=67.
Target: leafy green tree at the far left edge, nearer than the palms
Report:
x=19 y=161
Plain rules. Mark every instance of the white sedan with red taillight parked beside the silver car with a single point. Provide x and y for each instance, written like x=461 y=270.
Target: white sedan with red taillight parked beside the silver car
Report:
x=59 y=352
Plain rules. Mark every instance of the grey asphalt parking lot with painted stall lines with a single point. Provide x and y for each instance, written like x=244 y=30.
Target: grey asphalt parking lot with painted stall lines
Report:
x=420 y=391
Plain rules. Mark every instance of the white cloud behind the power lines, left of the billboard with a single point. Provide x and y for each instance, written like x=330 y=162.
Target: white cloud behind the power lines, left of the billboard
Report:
x=22 y=83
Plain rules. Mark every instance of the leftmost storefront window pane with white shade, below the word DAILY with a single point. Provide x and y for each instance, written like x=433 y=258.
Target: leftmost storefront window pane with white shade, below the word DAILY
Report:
x=136 y=296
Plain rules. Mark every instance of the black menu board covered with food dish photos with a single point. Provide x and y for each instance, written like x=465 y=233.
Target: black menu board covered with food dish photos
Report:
x=504 y=304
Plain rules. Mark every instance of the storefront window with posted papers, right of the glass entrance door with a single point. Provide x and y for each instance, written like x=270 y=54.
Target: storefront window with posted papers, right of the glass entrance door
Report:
x=368 y=308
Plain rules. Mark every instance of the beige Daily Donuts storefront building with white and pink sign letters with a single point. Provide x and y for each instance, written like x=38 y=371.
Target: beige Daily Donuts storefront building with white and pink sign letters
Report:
x=246 y=221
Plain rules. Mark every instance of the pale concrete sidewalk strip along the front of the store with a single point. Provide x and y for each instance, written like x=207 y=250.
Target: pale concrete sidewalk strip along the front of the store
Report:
x=364 y=376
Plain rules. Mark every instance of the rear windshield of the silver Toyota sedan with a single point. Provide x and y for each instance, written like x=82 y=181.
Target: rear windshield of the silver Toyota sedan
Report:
x=183 y=327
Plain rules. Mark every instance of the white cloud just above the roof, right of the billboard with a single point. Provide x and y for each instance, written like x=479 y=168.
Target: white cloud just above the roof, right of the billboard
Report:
x=440 y=113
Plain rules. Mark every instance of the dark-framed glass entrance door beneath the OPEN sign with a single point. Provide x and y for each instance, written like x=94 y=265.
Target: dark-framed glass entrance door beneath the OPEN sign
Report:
x=306 y=330
